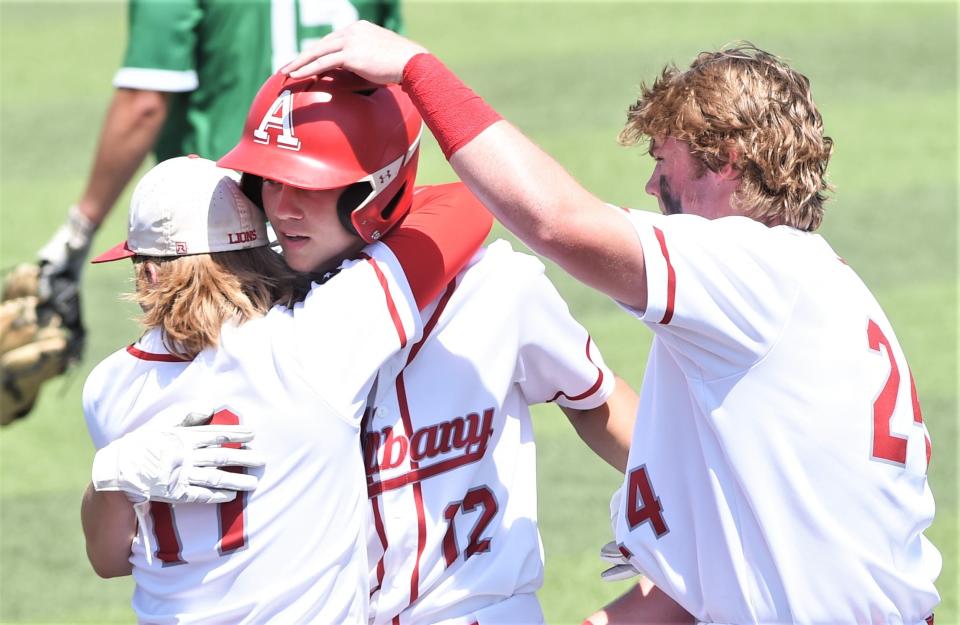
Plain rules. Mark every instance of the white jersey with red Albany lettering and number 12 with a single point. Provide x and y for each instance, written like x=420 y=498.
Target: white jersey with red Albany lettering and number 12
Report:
x=449 y=449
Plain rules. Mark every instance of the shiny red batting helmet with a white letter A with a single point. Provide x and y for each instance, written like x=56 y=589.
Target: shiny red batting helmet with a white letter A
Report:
x=335 y=130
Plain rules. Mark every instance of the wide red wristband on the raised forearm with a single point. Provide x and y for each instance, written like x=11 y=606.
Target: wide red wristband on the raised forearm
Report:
x=452 y=111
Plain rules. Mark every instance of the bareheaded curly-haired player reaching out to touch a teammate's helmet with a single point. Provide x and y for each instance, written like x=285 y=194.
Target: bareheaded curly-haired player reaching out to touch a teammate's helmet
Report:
x=777 y=472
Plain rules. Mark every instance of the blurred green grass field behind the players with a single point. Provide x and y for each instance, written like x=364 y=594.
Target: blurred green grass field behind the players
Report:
x=884 y=76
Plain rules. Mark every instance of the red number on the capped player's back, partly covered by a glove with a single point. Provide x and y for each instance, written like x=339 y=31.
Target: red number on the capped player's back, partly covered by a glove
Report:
x=230 y=514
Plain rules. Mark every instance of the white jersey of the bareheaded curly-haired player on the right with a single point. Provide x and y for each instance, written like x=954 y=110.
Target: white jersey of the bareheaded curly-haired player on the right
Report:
x=778 y=467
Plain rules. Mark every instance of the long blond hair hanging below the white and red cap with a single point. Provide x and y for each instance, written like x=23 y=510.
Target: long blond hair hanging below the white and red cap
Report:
x=190 y=297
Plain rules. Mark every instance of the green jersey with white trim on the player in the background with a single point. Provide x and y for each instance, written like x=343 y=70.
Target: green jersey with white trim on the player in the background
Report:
x=213 y=55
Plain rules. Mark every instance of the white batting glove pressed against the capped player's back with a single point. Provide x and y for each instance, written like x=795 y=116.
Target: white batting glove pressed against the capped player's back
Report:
x=180 y=464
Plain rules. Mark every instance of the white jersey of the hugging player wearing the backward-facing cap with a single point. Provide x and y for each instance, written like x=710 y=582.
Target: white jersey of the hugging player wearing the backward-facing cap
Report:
x=294 y=549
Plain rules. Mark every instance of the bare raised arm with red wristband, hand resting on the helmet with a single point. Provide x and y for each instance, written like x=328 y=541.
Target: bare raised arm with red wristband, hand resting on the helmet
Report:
x=523 y=186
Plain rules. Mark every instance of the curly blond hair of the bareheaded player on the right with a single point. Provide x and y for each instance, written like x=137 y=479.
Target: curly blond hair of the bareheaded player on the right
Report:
x=748 y=103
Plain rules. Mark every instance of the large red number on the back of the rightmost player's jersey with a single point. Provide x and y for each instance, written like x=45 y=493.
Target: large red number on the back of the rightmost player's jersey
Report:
x=887 y=446
